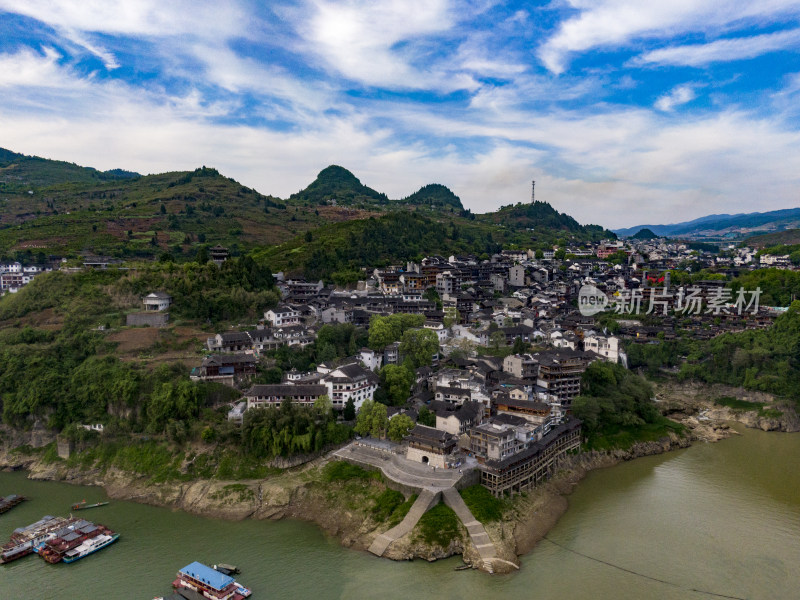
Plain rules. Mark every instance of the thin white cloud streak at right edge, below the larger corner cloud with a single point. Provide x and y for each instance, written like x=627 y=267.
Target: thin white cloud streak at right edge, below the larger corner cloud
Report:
x=696 y=55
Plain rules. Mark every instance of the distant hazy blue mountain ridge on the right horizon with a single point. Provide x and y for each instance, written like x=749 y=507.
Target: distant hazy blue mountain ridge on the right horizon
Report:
x=724 y=226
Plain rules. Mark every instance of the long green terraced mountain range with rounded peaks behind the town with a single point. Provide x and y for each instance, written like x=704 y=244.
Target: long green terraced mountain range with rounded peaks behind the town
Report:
x=62 y=209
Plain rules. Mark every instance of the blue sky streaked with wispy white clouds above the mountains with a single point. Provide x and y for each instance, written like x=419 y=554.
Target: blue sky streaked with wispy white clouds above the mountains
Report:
x=624 y=112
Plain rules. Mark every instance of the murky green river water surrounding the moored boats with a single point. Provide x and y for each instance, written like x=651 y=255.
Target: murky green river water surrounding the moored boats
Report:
x=722 y=518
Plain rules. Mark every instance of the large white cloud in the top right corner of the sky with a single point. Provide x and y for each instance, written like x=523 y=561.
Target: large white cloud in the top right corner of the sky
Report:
x=615 y=23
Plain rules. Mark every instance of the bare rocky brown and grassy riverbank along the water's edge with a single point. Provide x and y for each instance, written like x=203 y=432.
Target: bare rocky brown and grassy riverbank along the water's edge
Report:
x=357 y=509
